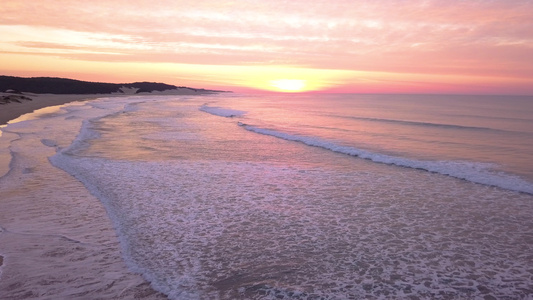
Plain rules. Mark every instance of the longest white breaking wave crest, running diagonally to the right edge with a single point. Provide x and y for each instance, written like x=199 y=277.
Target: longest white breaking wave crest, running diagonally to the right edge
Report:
x=481 y=173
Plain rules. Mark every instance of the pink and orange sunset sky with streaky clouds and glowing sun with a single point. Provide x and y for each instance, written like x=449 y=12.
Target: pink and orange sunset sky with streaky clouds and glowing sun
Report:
x=367 y=46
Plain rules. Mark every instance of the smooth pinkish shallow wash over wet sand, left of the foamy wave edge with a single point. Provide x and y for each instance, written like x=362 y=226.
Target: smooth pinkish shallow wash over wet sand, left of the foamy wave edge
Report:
x=57 y=236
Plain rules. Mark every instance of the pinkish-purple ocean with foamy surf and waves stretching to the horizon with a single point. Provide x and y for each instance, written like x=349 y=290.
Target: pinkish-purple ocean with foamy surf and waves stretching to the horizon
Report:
x=306 y=196
